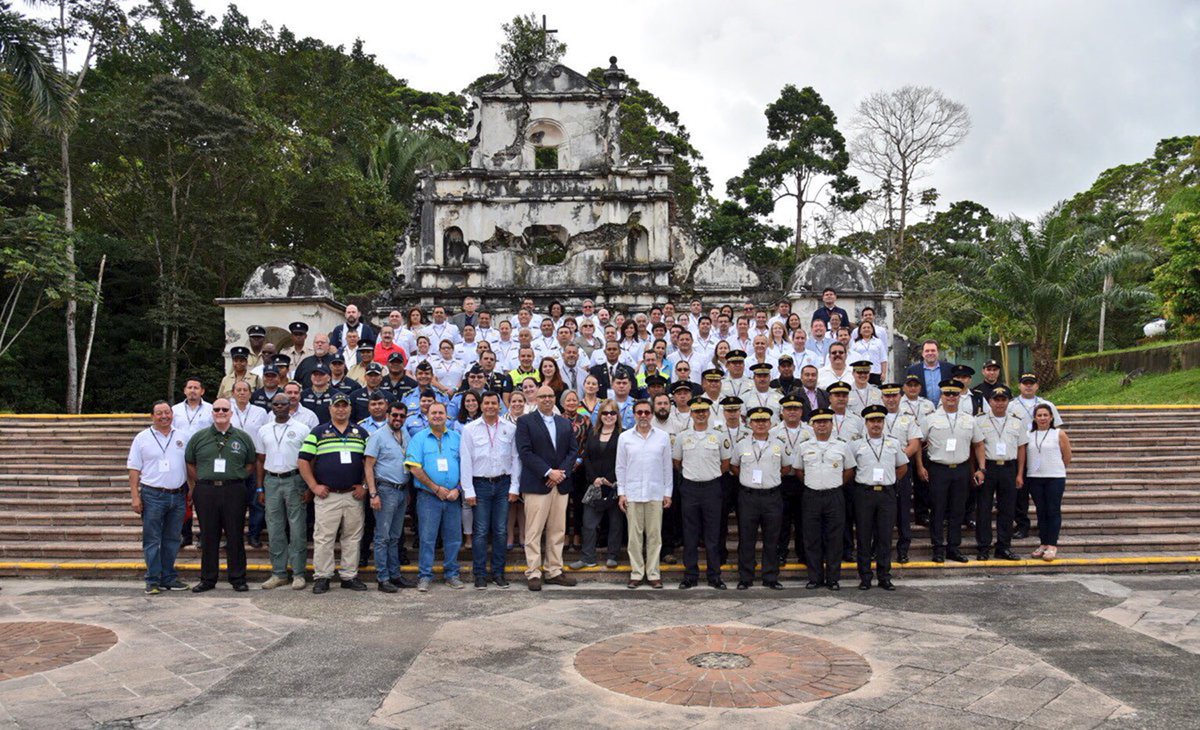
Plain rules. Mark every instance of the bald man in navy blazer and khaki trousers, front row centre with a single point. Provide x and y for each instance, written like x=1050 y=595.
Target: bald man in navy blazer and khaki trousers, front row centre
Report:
x=548 y=448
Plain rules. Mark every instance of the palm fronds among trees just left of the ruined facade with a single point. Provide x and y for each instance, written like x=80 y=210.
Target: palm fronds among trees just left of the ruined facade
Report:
x=403 y=154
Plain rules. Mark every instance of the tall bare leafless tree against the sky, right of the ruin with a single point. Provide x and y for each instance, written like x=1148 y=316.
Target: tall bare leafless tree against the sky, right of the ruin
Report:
x=898 y=135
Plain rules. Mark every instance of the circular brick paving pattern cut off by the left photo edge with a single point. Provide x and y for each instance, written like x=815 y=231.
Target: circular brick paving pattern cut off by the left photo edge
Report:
x=28 y=648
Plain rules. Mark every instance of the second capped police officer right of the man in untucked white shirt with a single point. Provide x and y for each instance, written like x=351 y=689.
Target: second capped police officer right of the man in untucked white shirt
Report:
x=759 y=463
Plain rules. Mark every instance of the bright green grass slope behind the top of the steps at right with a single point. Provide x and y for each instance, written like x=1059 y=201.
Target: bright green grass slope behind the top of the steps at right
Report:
x=1095 y=388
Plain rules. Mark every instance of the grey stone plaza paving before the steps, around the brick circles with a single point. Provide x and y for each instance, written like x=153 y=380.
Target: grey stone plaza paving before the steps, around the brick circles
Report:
x=1082 y=651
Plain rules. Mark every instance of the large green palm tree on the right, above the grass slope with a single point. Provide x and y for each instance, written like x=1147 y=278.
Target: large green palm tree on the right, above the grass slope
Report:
x=1040 y=276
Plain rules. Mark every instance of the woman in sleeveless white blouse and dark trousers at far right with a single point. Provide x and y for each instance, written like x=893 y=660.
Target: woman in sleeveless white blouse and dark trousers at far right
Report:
x=1046 y=476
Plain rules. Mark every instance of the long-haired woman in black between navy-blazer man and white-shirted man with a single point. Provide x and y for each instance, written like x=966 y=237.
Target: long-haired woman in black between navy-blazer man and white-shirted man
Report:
x=601 y=471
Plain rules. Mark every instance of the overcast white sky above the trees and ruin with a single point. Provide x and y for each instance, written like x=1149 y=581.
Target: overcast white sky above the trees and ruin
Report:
x=1058 y=91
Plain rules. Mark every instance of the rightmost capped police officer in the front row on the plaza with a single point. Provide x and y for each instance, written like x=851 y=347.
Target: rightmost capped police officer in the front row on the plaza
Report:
x=879 y=462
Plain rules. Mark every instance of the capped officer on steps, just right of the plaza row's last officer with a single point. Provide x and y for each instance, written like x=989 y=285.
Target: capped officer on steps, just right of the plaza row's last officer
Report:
x=949 y=434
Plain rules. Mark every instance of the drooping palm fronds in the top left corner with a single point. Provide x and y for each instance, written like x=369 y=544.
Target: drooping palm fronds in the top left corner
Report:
x=28 y=76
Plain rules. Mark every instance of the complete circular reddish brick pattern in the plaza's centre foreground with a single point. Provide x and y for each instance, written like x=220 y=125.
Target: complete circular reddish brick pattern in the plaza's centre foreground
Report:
x=698 y=667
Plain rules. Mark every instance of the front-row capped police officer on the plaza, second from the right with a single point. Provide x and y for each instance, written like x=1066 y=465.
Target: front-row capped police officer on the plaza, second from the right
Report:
x=821 y=466
